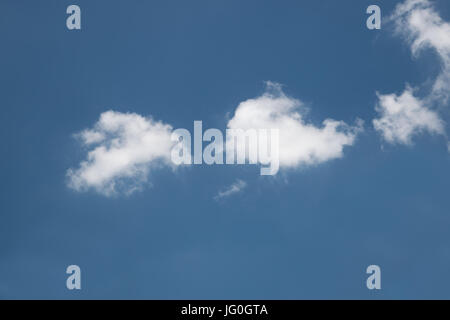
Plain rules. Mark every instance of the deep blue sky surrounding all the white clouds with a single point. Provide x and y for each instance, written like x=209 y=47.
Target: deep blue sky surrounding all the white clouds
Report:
x=309 y=232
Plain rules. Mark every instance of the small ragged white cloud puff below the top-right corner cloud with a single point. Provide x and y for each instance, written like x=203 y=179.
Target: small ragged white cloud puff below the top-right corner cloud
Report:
x=404 y=116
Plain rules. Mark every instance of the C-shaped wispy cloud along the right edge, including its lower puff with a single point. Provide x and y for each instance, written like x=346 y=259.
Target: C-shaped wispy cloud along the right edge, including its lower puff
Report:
x=402 y=117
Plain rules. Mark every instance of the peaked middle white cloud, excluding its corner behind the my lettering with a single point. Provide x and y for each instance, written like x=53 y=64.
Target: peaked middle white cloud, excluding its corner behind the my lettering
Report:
x=300 y=143
